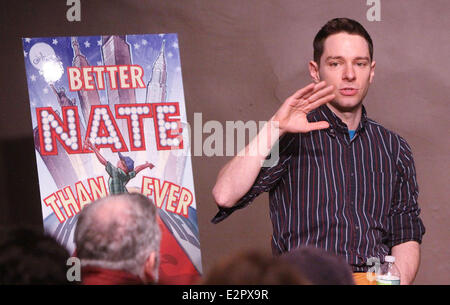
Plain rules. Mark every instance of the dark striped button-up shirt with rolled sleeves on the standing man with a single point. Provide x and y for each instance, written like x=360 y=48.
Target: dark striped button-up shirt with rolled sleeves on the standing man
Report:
x=355 y=198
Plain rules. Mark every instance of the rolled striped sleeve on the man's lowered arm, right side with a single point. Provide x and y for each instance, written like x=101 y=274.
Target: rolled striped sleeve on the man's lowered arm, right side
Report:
x=405 y=223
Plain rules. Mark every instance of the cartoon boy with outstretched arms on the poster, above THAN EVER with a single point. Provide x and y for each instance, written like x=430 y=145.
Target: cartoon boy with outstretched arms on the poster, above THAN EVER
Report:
x=122 y=173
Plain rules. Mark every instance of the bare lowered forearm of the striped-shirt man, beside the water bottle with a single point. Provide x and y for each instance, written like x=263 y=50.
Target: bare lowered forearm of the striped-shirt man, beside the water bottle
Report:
x=407 y=259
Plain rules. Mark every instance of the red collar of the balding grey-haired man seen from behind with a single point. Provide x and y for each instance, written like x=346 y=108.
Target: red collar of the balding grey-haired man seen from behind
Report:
x=99 y=276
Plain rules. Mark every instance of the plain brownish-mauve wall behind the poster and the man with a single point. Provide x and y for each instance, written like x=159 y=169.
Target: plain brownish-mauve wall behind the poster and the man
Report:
x=240 y=60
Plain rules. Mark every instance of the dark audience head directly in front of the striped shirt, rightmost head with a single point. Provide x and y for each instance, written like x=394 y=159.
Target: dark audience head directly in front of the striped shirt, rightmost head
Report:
x=319 y=266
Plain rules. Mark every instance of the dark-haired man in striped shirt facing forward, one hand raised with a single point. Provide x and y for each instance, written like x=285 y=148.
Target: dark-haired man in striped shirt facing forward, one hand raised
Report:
x=343 y=182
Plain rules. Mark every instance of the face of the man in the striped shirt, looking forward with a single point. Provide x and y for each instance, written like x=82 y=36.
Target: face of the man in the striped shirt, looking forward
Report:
x=345 y=63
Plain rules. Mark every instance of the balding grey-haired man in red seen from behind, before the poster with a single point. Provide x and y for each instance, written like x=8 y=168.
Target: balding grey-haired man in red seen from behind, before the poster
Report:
x=117 y=240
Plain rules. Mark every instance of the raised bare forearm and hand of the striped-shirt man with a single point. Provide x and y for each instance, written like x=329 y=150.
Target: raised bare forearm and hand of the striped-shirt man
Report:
x=238 y=175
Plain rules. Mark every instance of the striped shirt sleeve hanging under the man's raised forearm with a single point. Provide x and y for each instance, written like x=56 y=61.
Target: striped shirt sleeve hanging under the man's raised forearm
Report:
x=268 y=176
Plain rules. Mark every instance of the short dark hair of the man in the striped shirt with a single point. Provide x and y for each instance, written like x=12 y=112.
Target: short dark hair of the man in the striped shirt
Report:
x=335 y=26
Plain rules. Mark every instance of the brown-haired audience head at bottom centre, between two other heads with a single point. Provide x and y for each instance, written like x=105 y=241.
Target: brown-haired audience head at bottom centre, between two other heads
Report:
x=251 y=267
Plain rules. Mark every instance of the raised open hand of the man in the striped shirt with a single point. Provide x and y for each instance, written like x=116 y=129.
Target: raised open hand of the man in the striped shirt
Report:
x=291 y=116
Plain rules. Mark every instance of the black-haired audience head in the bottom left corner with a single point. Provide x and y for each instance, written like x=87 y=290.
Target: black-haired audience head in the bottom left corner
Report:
x=28 y=256
